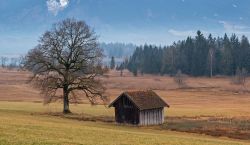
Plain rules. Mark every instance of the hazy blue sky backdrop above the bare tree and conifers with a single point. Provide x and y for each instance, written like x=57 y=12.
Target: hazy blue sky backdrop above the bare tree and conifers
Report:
x=158 y=22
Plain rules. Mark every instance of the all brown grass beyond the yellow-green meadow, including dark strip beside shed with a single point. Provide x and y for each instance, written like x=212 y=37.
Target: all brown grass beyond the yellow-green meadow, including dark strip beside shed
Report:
x=207 y=106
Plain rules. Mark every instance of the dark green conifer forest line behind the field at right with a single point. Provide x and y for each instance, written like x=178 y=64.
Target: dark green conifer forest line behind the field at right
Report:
x=198 y=56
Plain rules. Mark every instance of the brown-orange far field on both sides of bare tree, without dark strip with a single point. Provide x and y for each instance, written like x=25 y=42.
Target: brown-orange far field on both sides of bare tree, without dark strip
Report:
x=204 y=96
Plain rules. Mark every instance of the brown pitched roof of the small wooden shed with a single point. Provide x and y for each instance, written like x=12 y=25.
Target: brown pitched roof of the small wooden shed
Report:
x=144 y=99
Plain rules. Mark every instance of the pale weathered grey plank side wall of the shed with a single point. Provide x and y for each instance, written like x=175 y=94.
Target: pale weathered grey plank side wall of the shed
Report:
x=151 y=116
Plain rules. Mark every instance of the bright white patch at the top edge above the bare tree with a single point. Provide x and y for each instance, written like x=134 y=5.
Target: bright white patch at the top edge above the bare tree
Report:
x=54 y=6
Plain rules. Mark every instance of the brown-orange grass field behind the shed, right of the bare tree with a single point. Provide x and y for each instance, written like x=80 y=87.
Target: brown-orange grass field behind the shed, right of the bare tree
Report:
x=204 y=96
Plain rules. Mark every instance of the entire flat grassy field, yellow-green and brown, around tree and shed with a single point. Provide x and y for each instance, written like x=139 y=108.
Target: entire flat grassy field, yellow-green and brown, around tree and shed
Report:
x=209 y=111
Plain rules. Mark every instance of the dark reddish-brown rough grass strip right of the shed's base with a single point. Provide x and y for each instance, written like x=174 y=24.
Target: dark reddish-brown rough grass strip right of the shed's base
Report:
x=237 y=127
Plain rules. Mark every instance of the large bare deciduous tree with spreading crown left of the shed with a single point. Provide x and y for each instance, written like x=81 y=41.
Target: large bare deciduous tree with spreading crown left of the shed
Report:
x=67 y=58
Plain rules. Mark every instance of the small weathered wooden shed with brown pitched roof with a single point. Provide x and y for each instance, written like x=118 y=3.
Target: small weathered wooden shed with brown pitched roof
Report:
x=139 y=108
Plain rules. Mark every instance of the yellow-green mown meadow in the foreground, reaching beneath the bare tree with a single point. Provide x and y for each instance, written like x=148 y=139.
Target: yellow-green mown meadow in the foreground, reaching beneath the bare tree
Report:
x=22 y=124
